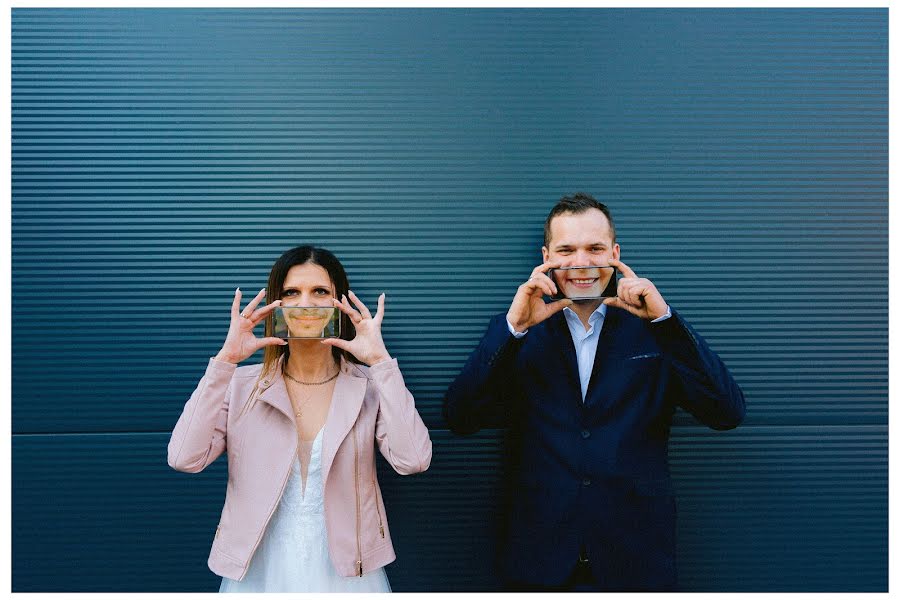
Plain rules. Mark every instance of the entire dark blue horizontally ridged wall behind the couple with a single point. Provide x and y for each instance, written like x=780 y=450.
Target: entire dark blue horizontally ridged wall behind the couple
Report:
x=161 y=158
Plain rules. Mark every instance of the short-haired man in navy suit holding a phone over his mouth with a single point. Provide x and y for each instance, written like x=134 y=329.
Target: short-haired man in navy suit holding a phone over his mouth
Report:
x=587 y=390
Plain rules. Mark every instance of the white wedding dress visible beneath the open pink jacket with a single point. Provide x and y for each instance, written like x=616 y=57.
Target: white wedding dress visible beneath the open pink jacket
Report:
x=293 y=554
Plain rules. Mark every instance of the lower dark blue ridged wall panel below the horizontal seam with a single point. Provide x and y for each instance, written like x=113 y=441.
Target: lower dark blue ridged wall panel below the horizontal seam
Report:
x=760 y=509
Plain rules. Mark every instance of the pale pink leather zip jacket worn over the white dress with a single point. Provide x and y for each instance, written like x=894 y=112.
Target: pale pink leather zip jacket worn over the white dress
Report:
x=369 y=405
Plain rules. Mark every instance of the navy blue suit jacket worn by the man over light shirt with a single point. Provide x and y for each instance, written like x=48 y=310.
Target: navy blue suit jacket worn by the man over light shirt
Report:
x=591 y=474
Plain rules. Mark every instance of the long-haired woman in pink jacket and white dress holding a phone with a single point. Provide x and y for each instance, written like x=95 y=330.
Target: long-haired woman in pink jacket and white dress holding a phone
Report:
x=303 y=510
